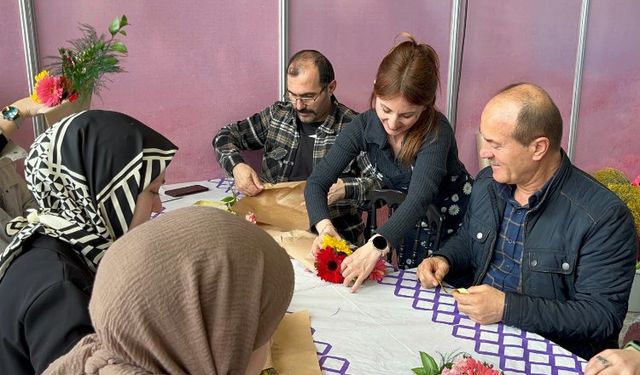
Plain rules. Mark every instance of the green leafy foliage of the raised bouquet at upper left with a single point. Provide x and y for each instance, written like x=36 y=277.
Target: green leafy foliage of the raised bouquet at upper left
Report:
x=90 y=57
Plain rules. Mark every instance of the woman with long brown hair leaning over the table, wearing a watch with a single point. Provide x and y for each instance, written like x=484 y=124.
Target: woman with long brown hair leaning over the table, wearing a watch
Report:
x=406 y=145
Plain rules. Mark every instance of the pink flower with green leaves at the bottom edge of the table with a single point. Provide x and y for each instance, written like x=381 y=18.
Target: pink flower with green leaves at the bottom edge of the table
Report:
x=454 y=364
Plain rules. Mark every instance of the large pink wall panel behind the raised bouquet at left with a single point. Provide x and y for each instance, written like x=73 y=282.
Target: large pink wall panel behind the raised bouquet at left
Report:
x=192 y=66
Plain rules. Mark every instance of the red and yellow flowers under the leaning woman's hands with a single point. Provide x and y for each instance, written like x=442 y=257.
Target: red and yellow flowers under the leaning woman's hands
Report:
x=330 y=256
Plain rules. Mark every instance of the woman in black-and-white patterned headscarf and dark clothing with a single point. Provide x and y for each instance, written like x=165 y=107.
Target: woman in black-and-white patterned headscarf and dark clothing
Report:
x=94 y=176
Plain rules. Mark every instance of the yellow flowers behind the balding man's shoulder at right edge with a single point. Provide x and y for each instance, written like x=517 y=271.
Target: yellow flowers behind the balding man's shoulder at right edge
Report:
x=627 y=191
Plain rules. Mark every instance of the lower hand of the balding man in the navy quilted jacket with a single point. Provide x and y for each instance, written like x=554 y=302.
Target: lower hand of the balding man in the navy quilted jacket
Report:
x=484 y=304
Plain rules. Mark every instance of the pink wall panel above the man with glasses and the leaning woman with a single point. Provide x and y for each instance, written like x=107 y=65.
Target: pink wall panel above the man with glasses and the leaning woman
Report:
x=355 y=36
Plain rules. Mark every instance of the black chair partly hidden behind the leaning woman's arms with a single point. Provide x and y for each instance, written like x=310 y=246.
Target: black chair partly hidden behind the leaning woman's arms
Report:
x=392 y=199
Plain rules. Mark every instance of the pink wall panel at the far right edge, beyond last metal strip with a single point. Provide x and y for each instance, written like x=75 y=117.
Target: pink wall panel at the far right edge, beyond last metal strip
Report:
x=609 y=120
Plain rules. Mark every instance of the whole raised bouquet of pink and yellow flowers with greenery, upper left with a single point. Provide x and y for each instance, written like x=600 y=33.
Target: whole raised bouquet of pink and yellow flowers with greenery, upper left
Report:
x=79 y=71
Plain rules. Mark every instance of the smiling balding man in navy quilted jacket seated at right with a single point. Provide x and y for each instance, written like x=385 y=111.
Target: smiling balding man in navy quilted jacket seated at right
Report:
x=551 y=250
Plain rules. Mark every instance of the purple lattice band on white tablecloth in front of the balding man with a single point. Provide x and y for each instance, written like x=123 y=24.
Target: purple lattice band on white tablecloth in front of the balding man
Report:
x=517 y=350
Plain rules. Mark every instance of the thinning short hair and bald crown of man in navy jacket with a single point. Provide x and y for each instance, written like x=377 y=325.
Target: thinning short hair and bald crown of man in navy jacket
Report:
x=539 y=116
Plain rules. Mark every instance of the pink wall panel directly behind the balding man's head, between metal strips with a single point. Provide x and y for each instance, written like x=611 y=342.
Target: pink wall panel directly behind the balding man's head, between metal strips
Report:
x=513 y=41
